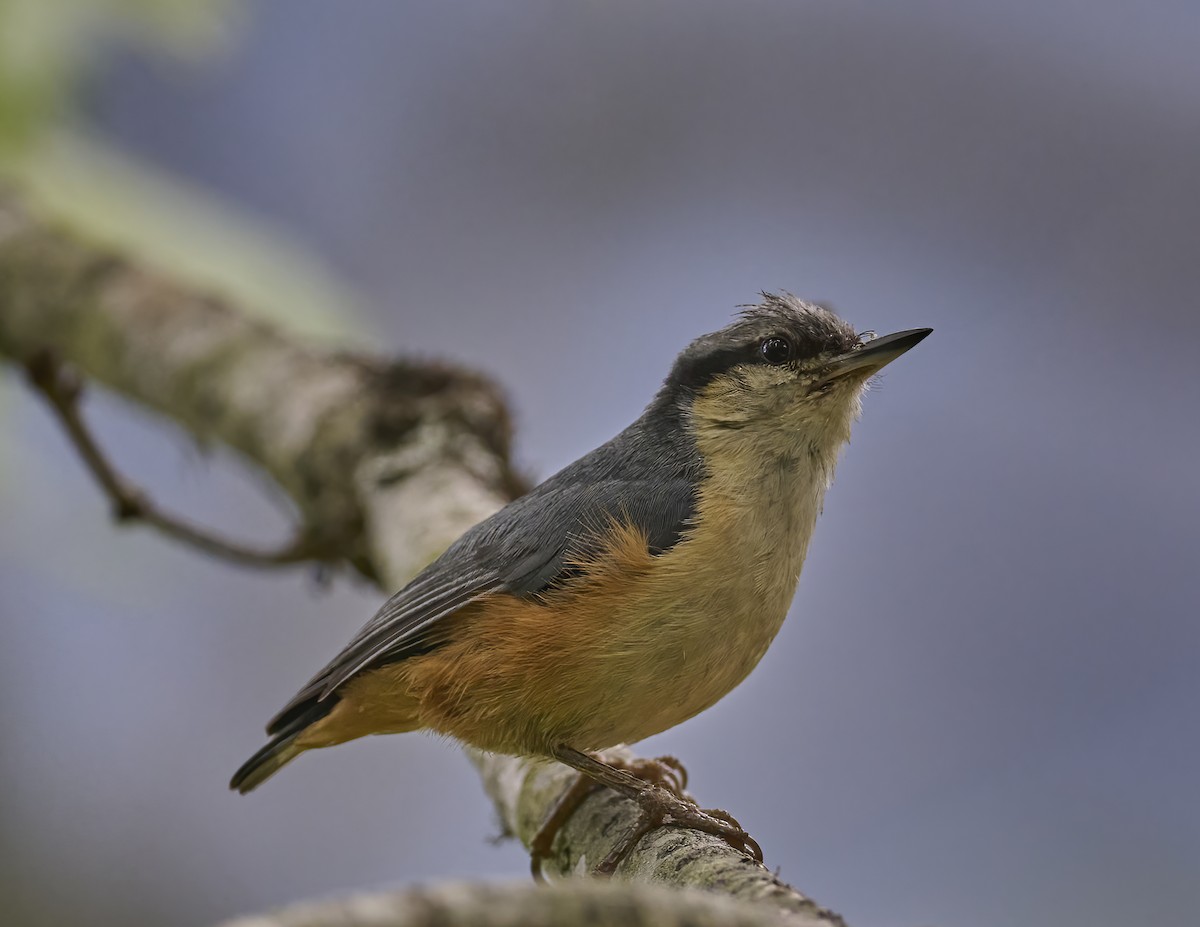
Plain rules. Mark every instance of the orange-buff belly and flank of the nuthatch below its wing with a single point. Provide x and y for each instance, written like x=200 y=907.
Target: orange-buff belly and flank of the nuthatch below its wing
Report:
x=631 y=649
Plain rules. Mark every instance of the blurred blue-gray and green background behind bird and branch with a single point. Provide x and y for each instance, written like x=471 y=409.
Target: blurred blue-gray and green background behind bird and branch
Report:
x=985 y=707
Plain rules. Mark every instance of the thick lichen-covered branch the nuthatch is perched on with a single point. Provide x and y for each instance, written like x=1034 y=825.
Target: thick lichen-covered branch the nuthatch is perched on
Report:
x=393 y=459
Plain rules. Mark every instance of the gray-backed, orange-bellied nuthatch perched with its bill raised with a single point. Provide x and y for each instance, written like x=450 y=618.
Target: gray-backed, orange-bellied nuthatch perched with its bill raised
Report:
x=629 y=591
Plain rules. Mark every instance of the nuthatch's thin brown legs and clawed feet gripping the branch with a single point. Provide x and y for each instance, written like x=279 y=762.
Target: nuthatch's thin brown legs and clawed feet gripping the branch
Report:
x=658 y=787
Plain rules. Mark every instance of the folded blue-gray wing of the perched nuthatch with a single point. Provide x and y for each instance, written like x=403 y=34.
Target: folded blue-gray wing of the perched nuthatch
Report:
x=524 y=549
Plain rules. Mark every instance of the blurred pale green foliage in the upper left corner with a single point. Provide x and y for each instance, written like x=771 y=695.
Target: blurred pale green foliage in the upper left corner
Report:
x=49 y=52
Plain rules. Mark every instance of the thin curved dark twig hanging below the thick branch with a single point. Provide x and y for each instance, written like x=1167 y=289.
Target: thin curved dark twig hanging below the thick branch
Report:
x=62 y=388
